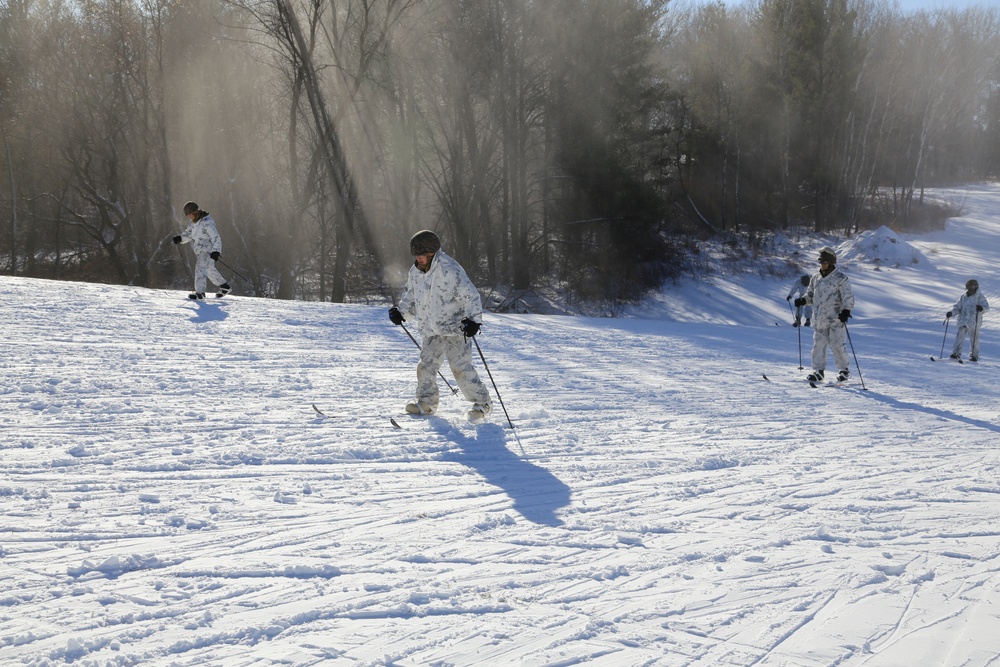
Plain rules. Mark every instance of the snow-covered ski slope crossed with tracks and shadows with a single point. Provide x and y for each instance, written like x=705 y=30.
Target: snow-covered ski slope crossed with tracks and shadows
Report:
x=170 y=496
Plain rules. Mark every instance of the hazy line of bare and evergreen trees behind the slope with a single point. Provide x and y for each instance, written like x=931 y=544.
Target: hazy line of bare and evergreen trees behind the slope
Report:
x=573 y=144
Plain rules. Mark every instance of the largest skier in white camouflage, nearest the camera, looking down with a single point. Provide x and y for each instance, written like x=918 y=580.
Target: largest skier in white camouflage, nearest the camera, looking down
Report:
x=441 y=296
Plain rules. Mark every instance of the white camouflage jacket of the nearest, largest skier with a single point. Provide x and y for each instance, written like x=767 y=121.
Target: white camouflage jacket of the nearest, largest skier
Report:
x=441 y=297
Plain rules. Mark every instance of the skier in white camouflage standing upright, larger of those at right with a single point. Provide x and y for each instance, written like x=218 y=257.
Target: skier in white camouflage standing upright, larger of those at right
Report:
x=829 y=293
